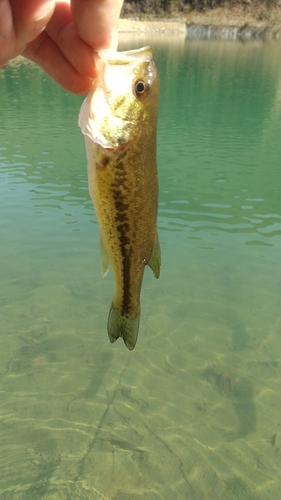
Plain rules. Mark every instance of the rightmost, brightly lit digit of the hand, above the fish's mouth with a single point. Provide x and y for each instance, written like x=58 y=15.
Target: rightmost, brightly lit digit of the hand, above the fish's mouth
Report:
x=96 y=21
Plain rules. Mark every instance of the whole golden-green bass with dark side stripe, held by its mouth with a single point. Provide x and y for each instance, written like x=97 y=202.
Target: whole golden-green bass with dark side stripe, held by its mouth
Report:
x=119 y=121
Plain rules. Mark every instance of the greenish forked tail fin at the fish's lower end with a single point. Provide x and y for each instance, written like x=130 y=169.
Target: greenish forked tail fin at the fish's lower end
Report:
x=122 y=325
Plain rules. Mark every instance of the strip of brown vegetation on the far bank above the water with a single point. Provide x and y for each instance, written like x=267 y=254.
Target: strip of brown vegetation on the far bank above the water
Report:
x=175 y=8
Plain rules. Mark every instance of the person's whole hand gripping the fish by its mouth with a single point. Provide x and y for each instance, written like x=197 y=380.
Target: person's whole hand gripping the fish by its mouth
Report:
x=60 y=36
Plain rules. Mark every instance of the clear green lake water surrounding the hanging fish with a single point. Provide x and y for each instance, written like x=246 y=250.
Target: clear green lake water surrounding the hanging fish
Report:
x=194 y=411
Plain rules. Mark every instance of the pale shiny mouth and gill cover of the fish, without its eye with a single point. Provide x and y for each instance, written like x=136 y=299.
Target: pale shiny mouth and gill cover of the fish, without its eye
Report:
x=111 y=117
